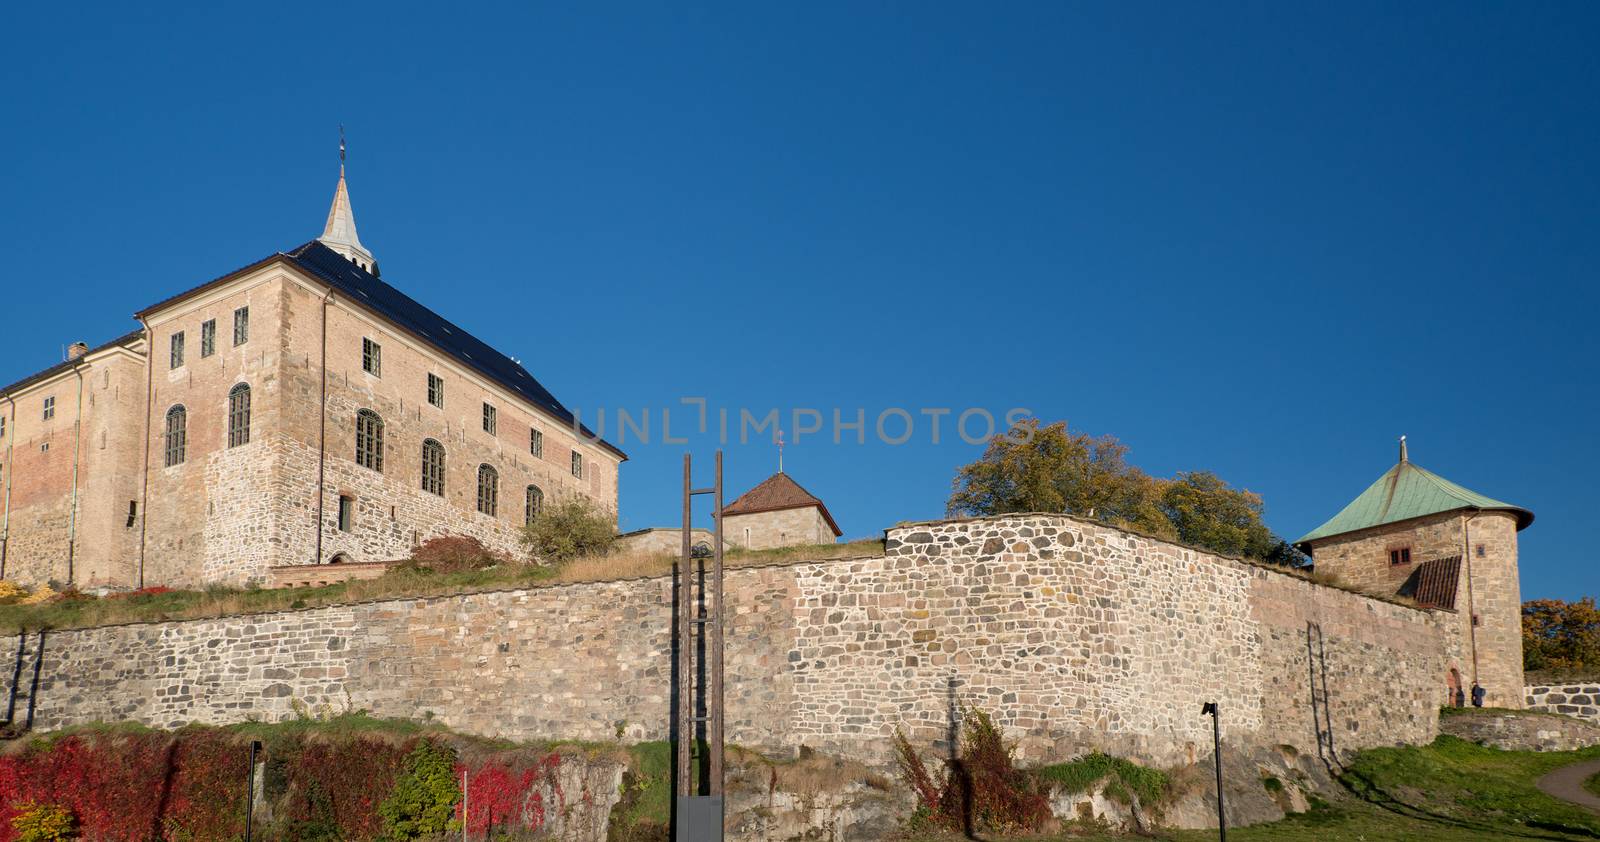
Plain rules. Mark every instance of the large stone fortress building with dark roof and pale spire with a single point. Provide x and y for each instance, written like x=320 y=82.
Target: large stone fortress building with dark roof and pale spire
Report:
x=295 y=412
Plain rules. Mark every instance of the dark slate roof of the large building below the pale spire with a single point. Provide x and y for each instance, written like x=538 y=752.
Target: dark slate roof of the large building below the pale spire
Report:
x=335 y=270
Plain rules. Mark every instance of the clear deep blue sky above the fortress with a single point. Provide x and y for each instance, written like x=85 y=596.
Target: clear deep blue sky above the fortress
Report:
x=1252 y=239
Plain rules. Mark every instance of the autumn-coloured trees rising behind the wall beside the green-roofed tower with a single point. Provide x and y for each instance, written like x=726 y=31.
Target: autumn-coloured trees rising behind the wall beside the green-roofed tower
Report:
x=1054 y=470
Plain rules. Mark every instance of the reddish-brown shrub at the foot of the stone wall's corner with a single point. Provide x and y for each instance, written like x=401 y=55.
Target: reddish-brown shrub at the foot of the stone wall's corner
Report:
x=980 y=790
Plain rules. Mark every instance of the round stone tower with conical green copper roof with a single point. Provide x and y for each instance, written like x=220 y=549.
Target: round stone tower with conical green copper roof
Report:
x=1417 y=535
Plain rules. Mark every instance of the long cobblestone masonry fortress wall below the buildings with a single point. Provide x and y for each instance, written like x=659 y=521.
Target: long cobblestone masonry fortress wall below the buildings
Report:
x=1073 y=635
